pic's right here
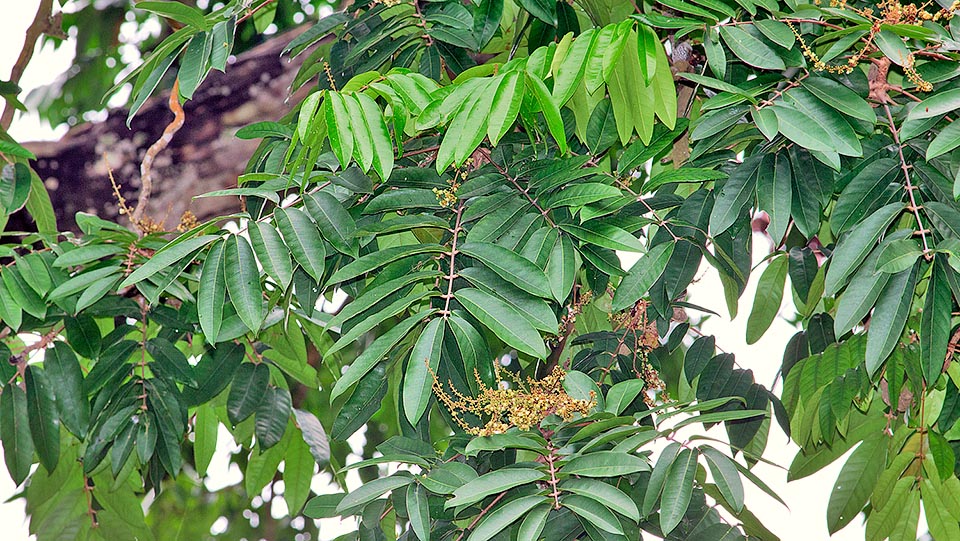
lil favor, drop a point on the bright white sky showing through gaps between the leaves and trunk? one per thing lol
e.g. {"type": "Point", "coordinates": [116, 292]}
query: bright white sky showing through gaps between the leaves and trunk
{"type": "Point", "coordinates": [807, 498]}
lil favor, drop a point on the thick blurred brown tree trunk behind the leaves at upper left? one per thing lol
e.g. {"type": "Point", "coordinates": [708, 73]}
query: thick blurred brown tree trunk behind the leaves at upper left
{"type": "Point", "coordinates": [203, 156]}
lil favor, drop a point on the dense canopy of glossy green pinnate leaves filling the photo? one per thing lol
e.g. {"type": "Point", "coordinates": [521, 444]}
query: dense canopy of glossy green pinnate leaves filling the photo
{"type": "Point", "coordinates": [469, 174]}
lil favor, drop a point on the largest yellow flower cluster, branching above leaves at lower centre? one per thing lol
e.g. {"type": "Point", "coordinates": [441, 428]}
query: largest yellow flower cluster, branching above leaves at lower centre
{"type": "Point", "coordinates": [524, 406]}
